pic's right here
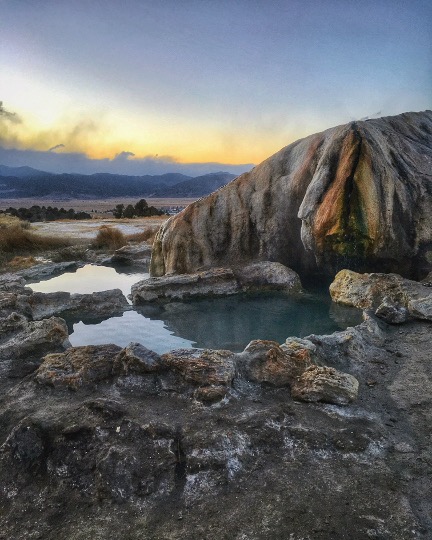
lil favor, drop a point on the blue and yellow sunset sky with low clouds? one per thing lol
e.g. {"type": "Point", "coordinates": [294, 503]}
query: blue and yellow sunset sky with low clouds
{"type": "Point", "coordinates": [145, 87]}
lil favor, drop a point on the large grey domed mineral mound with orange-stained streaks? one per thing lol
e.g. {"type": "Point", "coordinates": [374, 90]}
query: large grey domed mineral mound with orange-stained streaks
{"type": "Point", "coordinates": [355, 196]}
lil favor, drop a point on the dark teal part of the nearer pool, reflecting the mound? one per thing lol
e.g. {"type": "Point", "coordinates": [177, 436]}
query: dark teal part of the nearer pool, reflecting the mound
{"type": "Point", "coordinates": [233, 322]}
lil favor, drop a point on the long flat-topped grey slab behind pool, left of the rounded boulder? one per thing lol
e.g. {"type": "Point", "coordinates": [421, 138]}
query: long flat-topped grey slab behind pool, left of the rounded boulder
{"type": "Point", "coordinates": [216, 282]}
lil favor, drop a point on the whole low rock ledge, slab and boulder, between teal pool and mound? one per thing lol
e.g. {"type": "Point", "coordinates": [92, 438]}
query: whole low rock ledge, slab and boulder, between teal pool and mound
{"type": "Point", "coordinates": [263, 275]}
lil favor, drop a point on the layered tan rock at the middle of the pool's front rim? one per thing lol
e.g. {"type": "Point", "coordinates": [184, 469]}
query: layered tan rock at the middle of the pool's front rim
{"type": "Point", "coordinates": [203, 367]}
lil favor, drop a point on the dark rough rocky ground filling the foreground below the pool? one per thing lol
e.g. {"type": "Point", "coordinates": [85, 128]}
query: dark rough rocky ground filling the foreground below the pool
{"type": "Point", "coordinates": [123, 443]}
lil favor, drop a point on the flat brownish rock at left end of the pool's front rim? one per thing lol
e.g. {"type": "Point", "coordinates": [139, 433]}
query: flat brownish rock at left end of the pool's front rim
{"type": "Point", "coordinates": [78, 366]}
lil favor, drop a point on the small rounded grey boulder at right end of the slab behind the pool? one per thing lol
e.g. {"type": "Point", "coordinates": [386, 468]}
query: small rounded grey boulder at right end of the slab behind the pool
{"type": "Point", "coordinates": [267, 275]}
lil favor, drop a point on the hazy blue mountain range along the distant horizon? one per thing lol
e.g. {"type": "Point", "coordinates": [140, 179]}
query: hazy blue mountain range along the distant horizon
{"type": "Point", "coordinates": [24, 182]}
